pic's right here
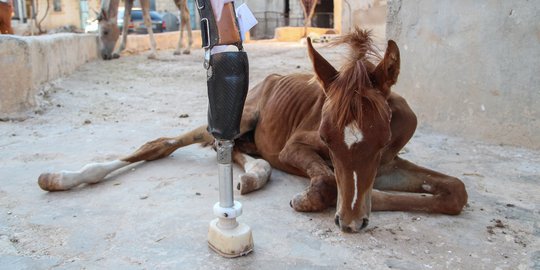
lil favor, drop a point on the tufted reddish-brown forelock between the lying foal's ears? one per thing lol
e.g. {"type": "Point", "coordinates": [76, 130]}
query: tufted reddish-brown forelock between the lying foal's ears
{"type": "Point", "coordinates": [348, 92]}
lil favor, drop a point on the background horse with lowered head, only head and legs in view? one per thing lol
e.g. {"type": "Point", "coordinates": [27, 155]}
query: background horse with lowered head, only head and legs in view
{"type": "Point", "coordinates": [109, 32]}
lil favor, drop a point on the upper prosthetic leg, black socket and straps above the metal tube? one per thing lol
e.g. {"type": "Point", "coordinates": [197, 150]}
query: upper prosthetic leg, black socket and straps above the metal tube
{"type": "Point", "coordinates": [228, 72]}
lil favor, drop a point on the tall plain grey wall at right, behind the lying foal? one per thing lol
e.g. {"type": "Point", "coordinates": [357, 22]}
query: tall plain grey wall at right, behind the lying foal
{"type": "Point", "coordinates": [470, 68]}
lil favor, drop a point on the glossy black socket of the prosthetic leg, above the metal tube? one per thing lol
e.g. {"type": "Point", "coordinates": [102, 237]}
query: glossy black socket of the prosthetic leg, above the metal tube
{"type": "Point", "coordinates": [227, 90]}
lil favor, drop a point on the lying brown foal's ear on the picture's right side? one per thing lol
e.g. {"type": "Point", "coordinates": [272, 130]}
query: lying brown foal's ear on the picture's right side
{"type": "Point", "coordinates": [387, 71]}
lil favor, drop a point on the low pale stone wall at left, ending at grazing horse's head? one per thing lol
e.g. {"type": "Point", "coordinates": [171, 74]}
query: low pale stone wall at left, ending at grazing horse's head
{"type": "Point", "coordinates": [28, 62]}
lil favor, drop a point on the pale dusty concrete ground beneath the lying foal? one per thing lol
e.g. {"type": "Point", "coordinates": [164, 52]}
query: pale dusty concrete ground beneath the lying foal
{"type": "Point", "coordinates": [156, 215]}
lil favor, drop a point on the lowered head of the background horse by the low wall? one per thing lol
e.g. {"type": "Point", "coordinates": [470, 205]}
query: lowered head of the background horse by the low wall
{"type": "Point", "coordinates": [108, 33]}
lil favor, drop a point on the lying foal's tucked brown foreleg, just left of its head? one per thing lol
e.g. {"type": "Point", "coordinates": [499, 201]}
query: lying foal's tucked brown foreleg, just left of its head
{"type": "Point", "coordinates": [300, 154]}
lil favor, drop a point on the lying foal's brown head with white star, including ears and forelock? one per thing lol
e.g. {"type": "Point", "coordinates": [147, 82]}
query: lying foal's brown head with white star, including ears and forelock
{"type": "Point", "coordinates": [355, 122]}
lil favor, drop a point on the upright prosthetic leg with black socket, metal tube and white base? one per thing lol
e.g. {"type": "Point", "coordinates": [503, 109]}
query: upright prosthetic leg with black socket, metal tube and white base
{"type": "Point", "coordinates": [227, 83]}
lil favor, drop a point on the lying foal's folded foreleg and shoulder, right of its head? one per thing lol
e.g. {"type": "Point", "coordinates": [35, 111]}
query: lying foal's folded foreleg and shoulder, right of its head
{"type": "Point", "coordinates": [395, 174]}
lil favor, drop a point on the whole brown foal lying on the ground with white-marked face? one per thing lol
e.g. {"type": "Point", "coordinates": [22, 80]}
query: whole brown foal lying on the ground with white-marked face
{"type": "Point", "coordinates": [341, 129]}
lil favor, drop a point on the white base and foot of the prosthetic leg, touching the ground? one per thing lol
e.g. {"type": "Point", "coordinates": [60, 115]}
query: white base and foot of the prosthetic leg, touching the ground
{"type": "Point", "coordinates": [226, 236]}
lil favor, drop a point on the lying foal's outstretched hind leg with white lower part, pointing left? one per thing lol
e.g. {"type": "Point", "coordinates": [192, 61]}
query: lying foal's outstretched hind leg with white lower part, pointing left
{"type": "Point", "coordinates": [96, 172]}
